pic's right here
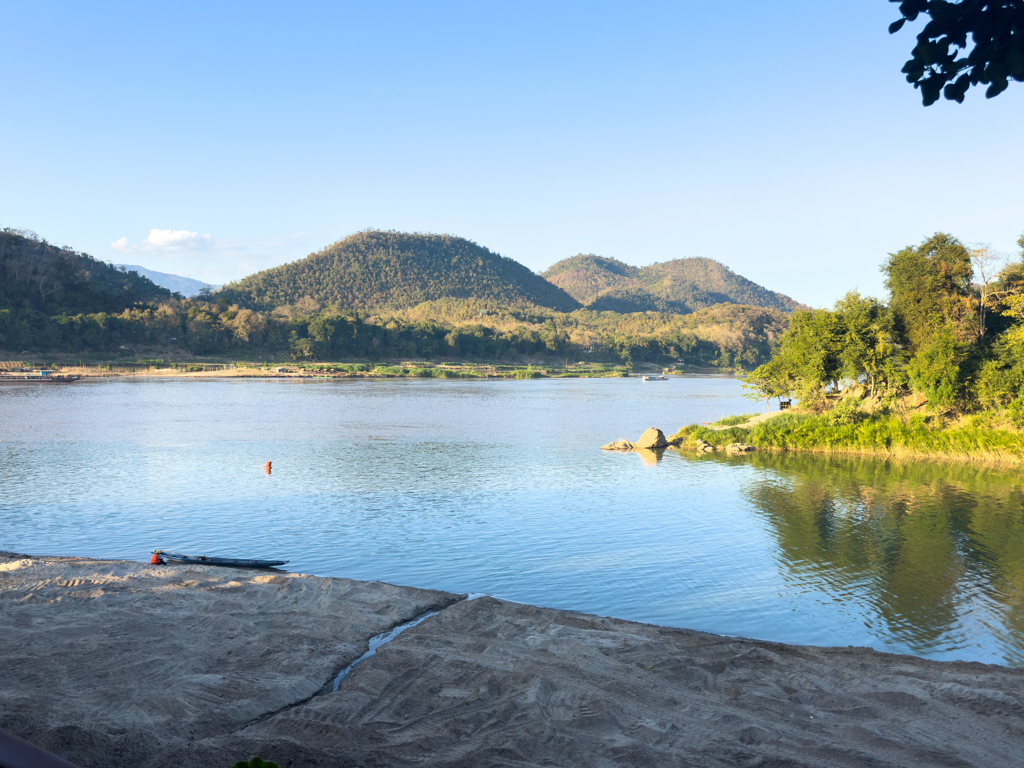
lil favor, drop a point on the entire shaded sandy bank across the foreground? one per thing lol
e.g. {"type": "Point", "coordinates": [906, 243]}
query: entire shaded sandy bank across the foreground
{"type": "Point", "coordinates": [125, 665]}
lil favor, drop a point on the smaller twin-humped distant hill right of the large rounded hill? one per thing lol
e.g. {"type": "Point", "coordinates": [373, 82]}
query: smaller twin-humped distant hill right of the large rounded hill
{"type": "Point", "coordinates": [679, 286]}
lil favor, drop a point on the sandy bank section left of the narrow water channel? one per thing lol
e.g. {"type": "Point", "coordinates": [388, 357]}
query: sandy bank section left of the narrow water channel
{"type": "Point", "coordinates": [114, 663]}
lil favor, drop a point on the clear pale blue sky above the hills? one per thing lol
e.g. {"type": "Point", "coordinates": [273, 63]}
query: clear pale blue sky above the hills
{"type": "Point", "coordinates": [212, 140]}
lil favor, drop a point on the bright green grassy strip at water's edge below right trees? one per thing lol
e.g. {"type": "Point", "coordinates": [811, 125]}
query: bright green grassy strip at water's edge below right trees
{"type": "Point", "coordinates": [980, 439]}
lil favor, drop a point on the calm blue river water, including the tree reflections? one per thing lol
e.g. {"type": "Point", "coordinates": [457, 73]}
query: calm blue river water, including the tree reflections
{"type": "Point", "coordinates": [500, 488]}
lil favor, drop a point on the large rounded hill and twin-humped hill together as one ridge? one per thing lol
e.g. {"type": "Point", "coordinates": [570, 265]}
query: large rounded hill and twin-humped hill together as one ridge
{"type": "Point", "coordinates": [379, 271]}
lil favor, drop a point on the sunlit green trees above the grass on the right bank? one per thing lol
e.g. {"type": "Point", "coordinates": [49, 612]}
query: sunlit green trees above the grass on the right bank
{"type": "Point", "coordinates": [952, 334]}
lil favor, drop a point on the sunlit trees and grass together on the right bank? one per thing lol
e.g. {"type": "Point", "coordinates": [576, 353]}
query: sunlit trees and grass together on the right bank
{"type": "Point", "coordinates": [938, 369]}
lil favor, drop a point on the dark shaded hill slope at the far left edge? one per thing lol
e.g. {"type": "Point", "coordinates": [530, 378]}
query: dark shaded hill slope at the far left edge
{"type": "Point", "coordinates": [38, 276]}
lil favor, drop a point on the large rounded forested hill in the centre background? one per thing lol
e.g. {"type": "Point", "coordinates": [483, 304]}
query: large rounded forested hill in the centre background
{"type": "Point", "coordinates": [391, 271]}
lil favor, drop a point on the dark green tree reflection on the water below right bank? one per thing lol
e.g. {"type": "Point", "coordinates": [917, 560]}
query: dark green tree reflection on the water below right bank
{"type": "Point", "coordinates": [919, 542]}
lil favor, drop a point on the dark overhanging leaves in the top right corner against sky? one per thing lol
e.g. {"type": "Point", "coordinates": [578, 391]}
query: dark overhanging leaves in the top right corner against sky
{"type": "Point", "coordinates": [937, 65]}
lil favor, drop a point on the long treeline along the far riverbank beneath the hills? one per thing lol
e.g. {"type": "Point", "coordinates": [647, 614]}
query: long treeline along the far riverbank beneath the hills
{"type": "Point", "coordinates": [722, 337]}
